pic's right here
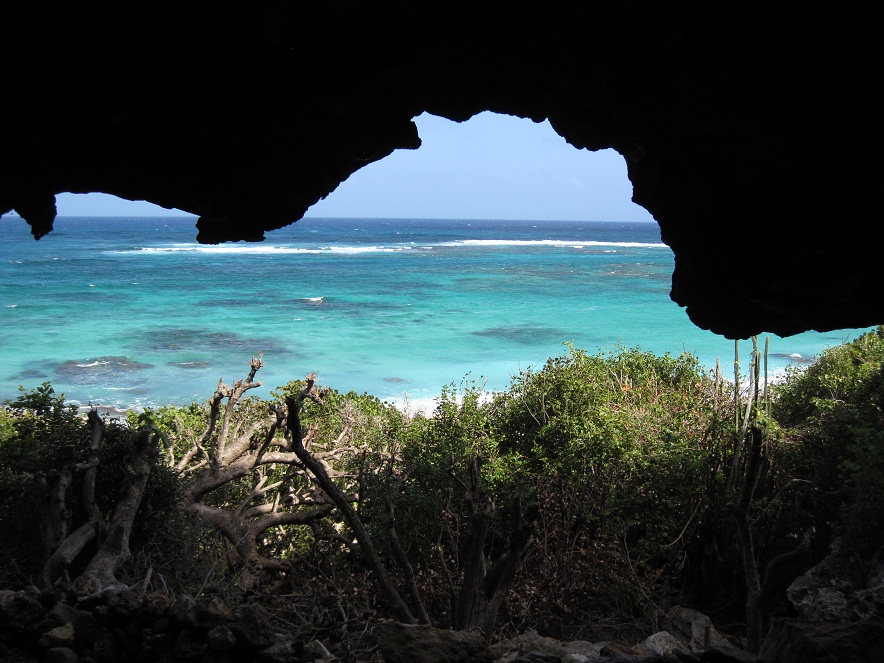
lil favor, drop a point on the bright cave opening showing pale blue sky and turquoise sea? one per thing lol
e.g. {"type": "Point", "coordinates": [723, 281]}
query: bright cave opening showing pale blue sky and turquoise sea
{"type": "Point", "coordinates": [359, 287]}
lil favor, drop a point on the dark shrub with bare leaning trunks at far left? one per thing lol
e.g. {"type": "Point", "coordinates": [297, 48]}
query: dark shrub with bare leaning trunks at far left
{"type": "Point", "coordinates": [59, 455]}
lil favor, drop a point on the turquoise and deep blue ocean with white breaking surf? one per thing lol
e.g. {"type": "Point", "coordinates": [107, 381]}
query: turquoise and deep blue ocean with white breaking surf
{"type": "Point", "coordinates": [133, 313]}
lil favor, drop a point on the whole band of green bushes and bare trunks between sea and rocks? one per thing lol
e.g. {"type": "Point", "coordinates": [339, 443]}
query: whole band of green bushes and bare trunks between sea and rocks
{"type": "Point", "coordinates": [583, 501]}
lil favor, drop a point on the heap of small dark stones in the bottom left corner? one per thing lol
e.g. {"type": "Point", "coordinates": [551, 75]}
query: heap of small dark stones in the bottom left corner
{"type": "Point", "coordinates": [130, 626]}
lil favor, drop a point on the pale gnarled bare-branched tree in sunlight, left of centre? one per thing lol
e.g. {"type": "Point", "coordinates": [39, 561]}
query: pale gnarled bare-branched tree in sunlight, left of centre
{"type": "Point", "coordinates": [242, 477]}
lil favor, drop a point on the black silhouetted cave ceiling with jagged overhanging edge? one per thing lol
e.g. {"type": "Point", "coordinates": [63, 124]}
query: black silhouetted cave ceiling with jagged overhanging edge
{"type": "Point", "coordinates": [751, 132]}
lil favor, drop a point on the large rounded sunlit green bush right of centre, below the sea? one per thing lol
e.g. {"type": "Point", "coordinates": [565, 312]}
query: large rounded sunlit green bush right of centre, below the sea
{"type": "Point", "coordinates": [630, 432]}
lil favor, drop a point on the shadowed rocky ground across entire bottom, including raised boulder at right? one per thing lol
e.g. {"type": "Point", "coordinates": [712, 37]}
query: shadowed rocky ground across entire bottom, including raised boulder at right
{"type": "Point", "coordinates": [839, 605]}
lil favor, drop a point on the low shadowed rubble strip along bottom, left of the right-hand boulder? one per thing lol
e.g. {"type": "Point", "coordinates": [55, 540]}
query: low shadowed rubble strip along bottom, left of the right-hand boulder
{"type": "Point", "coordinates": [133, 626]}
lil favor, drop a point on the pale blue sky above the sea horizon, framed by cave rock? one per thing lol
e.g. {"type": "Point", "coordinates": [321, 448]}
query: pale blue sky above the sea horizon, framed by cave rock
{"type": "Point", "coordinates": [490, 167]}
